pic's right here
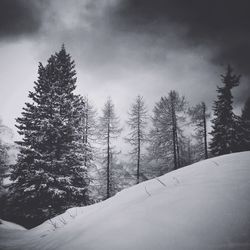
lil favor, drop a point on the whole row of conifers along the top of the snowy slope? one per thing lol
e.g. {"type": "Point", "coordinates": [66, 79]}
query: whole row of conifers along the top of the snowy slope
{"type": "Point", "coordinates": [67, 155]}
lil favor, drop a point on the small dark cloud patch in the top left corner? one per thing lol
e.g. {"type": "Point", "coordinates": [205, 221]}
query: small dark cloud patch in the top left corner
{"type": "Point", "coordinates": [20, 17]}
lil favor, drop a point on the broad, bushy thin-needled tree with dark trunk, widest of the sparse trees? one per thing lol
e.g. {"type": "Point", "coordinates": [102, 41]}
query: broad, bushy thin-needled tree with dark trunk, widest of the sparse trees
{"type": "Point", "coordinates": [166, 132]}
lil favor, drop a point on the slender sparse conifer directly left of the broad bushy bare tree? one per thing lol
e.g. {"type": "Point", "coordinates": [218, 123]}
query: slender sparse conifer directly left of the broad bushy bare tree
{"type": "Point", "coordinates": [137, 137]}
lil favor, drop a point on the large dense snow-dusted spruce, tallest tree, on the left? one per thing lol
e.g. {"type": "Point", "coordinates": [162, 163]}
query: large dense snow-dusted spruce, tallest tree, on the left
{"type": "Point", "coordinates": [49, 176]}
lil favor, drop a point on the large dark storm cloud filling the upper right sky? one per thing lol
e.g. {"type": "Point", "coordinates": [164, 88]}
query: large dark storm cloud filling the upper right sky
{"type": "Point", "coordinates": [223, 25]}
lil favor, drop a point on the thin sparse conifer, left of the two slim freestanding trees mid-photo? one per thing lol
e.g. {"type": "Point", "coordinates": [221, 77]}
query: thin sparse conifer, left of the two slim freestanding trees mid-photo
{"type": "Point", "coordinates": [109, 129]}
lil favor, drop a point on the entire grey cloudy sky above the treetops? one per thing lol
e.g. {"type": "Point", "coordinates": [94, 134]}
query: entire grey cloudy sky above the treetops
{"type": "Point", "coordinates": [125, 47]}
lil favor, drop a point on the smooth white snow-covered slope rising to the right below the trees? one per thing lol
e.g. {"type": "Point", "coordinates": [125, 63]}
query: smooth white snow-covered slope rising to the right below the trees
{"type": "Point", "coordinates": [202, 206]}
